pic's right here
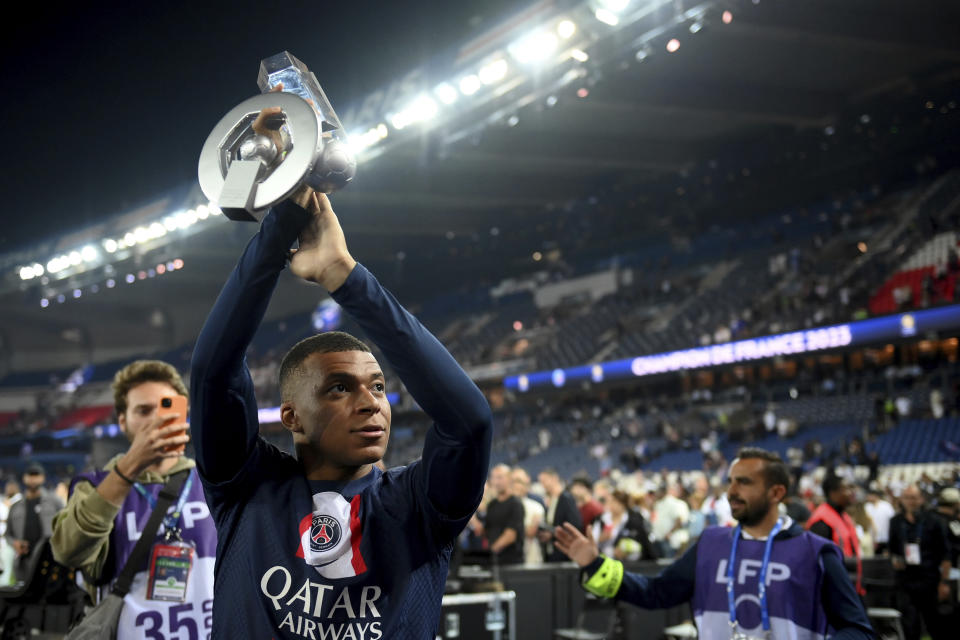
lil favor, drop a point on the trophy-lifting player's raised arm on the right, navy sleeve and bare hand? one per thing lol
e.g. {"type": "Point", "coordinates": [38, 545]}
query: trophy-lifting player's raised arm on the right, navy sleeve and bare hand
{"type": "Point", "coordinates": [457, 449]}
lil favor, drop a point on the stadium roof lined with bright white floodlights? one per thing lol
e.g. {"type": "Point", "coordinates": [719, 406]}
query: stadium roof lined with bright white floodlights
{"type": "Point", "coordinates": [748, 87]}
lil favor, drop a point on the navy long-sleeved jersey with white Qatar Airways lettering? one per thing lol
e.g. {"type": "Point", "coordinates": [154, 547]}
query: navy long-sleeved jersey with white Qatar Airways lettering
{"type": "Point", "coordinates": [307, 559]}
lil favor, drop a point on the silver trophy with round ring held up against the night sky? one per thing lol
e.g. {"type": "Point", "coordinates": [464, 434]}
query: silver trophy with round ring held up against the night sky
{"type": "Point", "coordinates": [245, 173]}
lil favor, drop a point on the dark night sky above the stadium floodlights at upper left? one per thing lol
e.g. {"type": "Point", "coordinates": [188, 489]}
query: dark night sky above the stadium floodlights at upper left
{"type": "Point", "coordinates": [106, 108]}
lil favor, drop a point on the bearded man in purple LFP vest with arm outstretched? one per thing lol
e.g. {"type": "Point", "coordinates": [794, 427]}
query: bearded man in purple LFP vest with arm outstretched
{"type": "Point", "coordinates": [765, 578]}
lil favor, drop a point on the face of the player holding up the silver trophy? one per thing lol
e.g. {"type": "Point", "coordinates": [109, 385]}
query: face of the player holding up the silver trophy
{"type": "Point", "coordinates": [341, 406]}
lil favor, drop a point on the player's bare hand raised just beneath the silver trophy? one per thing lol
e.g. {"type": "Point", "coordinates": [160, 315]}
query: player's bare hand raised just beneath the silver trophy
{"type": "Point", "coordinates": [323, 256]}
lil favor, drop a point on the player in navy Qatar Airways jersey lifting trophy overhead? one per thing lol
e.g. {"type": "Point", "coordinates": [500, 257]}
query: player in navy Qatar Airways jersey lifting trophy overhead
{"type": "Point", "coordinates": [325, 544]}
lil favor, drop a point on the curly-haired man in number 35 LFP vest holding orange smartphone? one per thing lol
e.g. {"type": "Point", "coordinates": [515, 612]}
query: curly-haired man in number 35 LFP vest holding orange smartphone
{"type": "Point", "coordinates": [109, 508]}
